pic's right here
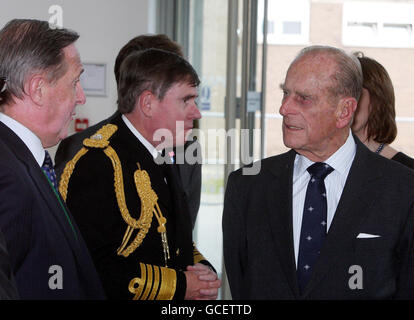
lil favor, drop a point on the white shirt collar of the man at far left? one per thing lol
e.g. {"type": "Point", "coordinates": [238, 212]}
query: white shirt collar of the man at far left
{"type": "Point", "coordinates": [28, 137]}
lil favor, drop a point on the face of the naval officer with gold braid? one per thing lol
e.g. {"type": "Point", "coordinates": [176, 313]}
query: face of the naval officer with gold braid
{"type": "Point", "coordinates": [175, 114]}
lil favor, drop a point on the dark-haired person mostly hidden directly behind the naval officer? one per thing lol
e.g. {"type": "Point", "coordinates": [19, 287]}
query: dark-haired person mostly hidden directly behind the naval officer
{"type": "Point", "coordinates": [190, 174]}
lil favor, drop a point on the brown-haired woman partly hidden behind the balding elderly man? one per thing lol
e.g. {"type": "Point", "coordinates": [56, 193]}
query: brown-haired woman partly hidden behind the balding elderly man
{"type": "Point", "coordinates": [374, 123]}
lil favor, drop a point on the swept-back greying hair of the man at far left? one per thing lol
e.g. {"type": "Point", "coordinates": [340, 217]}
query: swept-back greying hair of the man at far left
{"type": "Point", "coordinates": [29, 46]}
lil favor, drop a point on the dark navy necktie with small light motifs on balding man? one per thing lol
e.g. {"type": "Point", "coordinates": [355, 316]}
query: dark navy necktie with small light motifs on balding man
{"type": "Point", "coordinates": [314, 222]}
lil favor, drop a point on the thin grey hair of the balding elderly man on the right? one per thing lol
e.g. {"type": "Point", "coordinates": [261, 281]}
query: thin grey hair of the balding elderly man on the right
{"type": "Point", "coordinates": [348, 78]}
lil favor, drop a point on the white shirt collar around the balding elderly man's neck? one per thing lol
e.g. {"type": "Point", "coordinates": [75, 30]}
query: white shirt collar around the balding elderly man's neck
{"type": "Point", "coordinates": [340, 160]}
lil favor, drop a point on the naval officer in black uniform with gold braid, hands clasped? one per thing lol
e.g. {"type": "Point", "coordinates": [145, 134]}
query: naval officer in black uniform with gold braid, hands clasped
{"type": "Point", "coordinates": [131, 209]}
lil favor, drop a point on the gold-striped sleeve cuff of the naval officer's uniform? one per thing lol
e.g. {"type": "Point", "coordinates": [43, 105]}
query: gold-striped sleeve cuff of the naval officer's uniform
{"type": "Point", "coordinates": [155, 283]}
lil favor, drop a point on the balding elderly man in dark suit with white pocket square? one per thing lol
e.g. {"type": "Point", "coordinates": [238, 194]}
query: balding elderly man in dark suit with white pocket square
{"type": "Point", "coordinates": [329, 219]}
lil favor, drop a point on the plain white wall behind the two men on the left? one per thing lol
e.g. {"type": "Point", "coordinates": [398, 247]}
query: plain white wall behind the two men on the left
{"type": "Point", "coordinates": [104, 27]}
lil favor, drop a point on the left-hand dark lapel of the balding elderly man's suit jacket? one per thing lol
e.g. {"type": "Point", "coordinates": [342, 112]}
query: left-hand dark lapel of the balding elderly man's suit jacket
{"type": "Point", "coordinates": [279, 202]}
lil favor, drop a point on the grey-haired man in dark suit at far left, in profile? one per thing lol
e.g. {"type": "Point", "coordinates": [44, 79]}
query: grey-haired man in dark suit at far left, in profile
{"type": "Point", "coordinates": [48, 256]}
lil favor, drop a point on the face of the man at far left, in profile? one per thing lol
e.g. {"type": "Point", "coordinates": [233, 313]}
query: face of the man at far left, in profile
{"type": "Point", "coordinates": [61, 98]}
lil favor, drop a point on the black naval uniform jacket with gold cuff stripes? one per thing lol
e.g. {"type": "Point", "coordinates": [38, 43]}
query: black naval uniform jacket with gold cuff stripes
{"type": "Point", "coordinates": [92, 199]}
